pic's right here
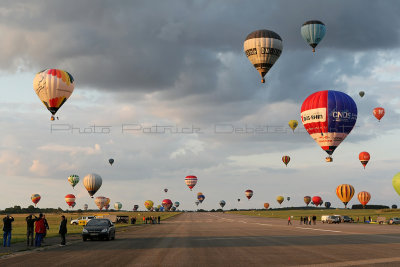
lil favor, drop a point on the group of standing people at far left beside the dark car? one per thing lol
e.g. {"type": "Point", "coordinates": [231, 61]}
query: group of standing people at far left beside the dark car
{"type": "Point", "coordinates": [37, 225]}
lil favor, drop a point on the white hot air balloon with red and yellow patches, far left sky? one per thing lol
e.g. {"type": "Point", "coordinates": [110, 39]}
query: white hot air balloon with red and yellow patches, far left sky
{"type": "Point", "coordinates": [53, 88]}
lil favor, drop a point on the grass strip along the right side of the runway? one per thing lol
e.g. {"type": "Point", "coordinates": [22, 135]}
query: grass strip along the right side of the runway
{"type": "Point", "coordinates": [360, 213]}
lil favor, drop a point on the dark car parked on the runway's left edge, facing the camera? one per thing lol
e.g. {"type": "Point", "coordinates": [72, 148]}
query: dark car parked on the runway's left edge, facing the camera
{"type": "Point", "coordinates": [99, 229]}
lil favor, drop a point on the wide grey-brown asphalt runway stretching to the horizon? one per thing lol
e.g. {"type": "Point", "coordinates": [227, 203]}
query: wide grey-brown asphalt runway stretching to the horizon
{"type": "Point", "coordinates": [217, 239]}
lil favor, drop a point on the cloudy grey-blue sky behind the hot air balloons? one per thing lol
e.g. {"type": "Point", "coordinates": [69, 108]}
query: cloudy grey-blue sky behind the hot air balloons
{"type": "Point", "coordinates": [180, 65]}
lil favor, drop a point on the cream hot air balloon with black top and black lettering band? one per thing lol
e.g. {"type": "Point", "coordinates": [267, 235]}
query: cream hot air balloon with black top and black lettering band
{"type": "Point", "coordinates": [263, 48]}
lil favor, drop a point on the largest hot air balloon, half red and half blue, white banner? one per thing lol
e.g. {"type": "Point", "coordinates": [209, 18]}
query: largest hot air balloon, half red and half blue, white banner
{"type": "Point", "coordinates": [329, 116]}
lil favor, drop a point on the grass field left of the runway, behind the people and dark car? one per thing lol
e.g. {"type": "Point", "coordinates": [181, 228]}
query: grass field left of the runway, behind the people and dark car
{"type": "Point", "coordinates": [19, 224]}
